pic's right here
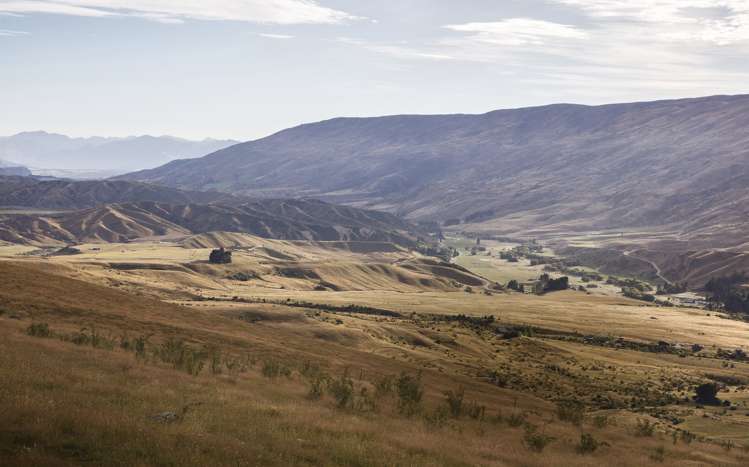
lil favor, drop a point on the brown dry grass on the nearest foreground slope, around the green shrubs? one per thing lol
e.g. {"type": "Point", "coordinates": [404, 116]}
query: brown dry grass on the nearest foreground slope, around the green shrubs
{"type": "Point", "coordinates": [64, 404]}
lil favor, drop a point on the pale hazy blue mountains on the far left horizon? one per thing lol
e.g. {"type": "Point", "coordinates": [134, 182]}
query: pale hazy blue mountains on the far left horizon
{"type": "Point", "coordinates": [96, 157]}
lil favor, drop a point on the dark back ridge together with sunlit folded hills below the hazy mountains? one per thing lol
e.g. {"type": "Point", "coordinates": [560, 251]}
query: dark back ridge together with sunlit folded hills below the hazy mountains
{"type": "Point", "coordinates": [120, 211]}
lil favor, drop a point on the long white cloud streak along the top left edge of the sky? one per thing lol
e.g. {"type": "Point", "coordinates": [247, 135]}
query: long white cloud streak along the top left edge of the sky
{"type": "Point", "coordinates": [258, 11]}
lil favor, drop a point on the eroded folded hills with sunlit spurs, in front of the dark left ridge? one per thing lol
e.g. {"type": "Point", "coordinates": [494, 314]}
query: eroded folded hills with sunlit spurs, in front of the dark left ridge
{"type": "Point", "coordinates": [288, 220]}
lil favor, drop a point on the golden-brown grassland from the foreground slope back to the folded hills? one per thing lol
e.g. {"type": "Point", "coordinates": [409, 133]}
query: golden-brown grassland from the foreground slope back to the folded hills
{"type": "Point", "coordinates": [268, 340]}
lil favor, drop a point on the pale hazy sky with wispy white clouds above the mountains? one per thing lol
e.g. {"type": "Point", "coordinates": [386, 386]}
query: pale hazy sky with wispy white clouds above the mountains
{"type": "Point", "coordinates": [245, 68]}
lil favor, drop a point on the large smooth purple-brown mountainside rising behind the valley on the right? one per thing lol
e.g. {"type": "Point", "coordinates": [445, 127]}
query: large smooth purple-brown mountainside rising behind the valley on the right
{"type": "Point", "coordinates": [681, 164]}
